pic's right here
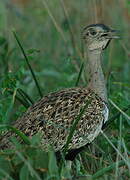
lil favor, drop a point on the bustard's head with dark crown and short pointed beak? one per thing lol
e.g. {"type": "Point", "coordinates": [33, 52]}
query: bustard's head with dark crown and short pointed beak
{"type": "Point", "coordinates": [98, 36]}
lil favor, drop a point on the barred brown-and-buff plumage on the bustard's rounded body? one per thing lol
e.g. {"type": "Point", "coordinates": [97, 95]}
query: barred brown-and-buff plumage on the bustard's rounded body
{"type": "Point", "coordinates": [54, 115]}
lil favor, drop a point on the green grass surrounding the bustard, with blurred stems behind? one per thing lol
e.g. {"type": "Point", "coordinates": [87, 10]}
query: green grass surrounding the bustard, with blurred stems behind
{"type": "Point", "coordinates": [51, 59]}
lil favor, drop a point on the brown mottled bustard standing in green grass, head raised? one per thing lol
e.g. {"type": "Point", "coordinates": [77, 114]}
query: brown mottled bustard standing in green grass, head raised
{"type": "Point", "coordinates": [54, 114]}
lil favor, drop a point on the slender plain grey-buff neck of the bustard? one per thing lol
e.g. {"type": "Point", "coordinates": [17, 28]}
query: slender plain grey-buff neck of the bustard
{"type": "Point", "coordinates": [96, 76]}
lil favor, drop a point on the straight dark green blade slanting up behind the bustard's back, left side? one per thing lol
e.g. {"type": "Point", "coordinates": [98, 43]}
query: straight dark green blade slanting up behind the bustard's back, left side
{"type": "Point", "coordinates": [27, 61]}
